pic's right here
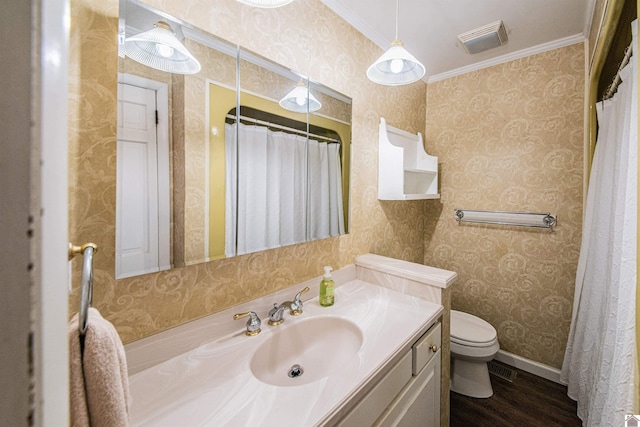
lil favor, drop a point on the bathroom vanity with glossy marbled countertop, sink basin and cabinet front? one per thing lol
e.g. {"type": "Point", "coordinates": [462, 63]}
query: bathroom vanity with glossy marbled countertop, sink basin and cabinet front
{"type": "Point", "coordinates": [372, 358]}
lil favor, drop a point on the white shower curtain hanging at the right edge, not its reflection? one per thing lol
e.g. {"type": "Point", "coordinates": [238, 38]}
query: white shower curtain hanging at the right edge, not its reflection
{"type": "Point", "coordinates": [598, 367]}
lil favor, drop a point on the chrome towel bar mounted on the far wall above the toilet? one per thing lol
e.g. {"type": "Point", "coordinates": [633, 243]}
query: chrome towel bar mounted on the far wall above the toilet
{"type": "Point", "coordinates": [520, 219]}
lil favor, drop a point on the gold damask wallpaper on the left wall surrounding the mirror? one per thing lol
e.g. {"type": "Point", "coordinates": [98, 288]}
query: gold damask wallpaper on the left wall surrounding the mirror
{"type": "Point", "coordinates": [143, 305]}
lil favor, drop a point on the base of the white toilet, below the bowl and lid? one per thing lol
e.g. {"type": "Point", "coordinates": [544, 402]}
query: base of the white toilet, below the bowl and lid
{"type": "Point", "coordinates": [470, 378]}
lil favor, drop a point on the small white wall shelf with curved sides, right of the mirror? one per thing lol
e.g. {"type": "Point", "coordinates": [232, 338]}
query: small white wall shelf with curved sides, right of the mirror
{"type": "Point", "coordinates": [405, 170]}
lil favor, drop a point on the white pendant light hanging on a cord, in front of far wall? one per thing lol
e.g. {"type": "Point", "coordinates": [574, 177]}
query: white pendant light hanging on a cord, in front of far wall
{"type": "Point", "coordinates": [396, 66]}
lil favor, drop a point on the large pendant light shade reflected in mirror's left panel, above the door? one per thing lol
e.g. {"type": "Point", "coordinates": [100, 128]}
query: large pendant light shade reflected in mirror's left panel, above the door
{"type": "Point", "coordinates": [159, 48]}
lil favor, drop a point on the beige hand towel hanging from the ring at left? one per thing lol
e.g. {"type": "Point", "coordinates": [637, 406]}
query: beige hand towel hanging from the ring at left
{"type": "Point", "coordinates": [99, 394]}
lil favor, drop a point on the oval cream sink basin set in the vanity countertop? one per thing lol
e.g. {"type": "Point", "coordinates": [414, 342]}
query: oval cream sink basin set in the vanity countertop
{"type": "Point", "coordinates": [306, 351]}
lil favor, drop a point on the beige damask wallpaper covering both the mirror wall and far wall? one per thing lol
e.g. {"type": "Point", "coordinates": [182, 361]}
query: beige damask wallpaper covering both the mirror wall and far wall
{"type": "Point", "coordinates": [509, 137]}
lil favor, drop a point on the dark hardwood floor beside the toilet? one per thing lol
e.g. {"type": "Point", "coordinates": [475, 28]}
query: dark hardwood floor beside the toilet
{"type": "Point", "coordinates": [528, 401]}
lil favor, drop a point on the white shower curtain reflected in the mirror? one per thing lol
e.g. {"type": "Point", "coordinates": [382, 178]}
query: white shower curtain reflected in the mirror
{"type": "Point", "coordinates": [272, 178]}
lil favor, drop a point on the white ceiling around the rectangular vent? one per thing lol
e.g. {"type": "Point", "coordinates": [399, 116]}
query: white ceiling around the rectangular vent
{"type": "Point", "coordinates": [429, 28]}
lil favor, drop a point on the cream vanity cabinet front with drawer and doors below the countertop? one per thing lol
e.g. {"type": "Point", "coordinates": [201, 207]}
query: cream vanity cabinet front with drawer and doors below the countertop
{"type": "Point", "coordinates": [409, 393]}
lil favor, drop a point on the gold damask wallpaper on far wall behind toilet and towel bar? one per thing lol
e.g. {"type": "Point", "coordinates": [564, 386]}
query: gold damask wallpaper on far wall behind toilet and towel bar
{"type": "Point", "coordinates": [510, 137]}
